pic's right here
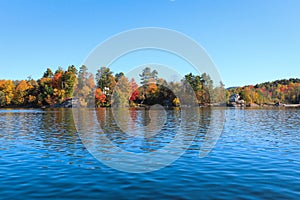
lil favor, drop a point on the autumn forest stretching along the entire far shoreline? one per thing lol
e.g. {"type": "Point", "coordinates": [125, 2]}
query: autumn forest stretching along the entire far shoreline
{"type": "Point", "coordinates": [107, 88]}
